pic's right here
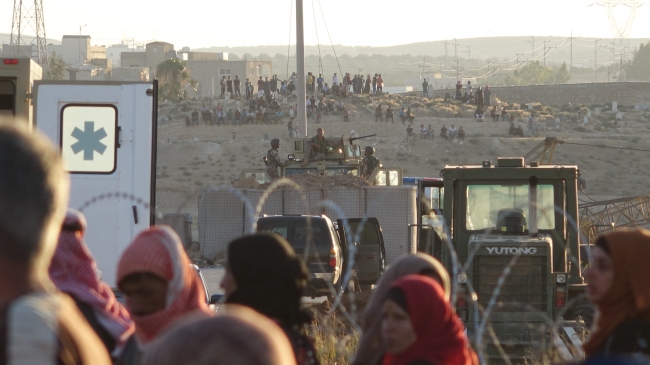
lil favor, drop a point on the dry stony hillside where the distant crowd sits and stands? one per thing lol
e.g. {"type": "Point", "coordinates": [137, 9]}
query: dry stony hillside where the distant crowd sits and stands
{"type": "Point", "coordinates": [192, 158]}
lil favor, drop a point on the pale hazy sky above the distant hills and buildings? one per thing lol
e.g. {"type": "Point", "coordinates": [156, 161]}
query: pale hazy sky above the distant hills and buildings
{"type": "Point", "coordinates": [202, 23]}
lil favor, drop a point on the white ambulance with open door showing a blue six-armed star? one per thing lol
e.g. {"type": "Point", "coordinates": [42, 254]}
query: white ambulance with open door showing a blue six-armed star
{"type": "Point", "coordinates": [107, 135]}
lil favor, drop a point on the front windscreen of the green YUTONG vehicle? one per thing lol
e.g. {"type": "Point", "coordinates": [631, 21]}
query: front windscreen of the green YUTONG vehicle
{"type": "Point", "coordinates": [484, 203]}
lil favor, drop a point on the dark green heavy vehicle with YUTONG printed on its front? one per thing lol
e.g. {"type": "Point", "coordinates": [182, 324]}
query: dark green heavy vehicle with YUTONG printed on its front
{"type": "Point", "coordinates": [515, 228]}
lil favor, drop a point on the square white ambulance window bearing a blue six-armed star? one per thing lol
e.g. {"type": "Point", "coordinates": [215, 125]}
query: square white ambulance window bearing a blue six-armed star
{"type": "Point", "coordinates": [88, 138]}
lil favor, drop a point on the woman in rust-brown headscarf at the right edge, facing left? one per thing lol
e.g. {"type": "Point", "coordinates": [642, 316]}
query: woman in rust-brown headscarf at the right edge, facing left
{"type": "Point", "coordinates": [618, 282]}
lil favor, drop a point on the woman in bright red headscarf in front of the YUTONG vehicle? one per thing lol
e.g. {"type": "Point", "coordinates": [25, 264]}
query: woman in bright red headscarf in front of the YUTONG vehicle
{"type": "Point", "coordinates": [420, 327]}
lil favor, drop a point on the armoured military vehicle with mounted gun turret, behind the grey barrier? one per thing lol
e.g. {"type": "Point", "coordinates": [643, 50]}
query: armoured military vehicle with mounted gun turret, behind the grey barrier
{"type": "Point", "coordinates": [343, 158]}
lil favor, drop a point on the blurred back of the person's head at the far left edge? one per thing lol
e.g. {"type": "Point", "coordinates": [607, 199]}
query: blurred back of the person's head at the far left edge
{"type": "Point", "coordinates": [33, 191]}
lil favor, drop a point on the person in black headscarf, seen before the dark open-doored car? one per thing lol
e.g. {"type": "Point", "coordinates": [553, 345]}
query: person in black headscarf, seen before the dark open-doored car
{"type": "Point", "coordinates": [264, 273]}
